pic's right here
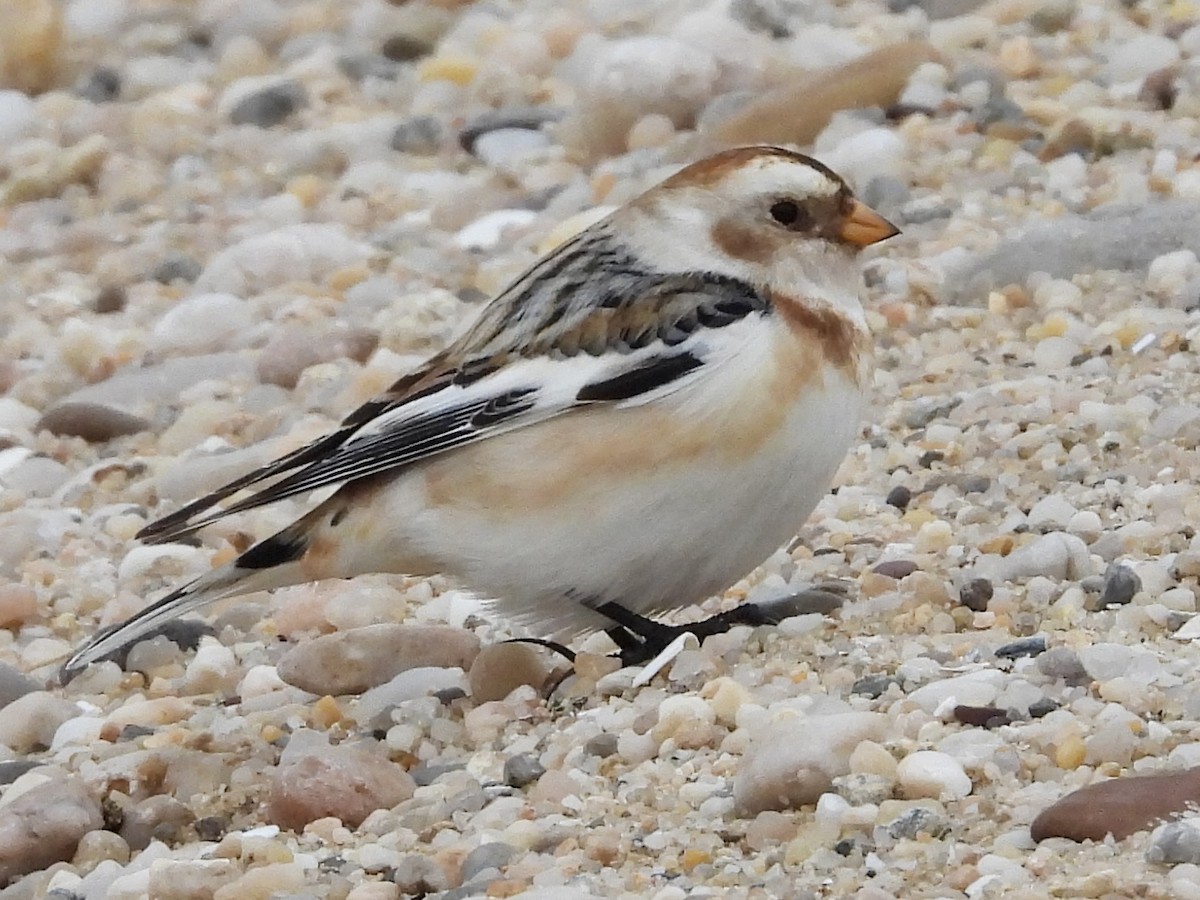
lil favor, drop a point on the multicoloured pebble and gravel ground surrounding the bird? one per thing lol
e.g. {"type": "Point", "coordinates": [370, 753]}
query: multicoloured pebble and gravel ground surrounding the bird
{"type": "Point", "coordinates": [223, 225]}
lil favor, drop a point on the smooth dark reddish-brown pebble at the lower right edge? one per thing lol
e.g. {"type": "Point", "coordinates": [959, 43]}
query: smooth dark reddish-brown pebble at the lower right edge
{"type": "Point", "coordinates": [1118, 807]}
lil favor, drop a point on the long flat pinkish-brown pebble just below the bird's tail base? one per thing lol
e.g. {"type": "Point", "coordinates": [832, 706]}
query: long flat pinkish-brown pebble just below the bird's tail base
{"type": "Point", "coordinates": [355, 661]}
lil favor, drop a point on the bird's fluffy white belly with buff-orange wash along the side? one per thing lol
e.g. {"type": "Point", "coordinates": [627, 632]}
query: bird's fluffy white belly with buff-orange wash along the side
{"type": "Point", "coordinates": [629, 506]}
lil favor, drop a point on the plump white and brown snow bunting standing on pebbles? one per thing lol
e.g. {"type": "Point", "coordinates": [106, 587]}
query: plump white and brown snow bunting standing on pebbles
{"type": "Point", "coordinates": [638, 422]}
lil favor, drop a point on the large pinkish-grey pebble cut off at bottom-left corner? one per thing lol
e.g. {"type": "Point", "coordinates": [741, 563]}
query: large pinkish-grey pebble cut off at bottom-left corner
{"type": "Point", "coordinates": [45, 826]}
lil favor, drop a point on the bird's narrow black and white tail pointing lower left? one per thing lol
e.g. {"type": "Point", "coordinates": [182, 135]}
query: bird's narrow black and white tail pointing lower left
{"type": "Point", "coordinates": [272, 563]}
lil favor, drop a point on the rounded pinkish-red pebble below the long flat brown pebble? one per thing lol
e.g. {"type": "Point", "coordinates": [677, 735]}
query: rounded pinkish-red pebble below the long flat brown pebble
{"type": "Point", "coordinates": [315, 781]}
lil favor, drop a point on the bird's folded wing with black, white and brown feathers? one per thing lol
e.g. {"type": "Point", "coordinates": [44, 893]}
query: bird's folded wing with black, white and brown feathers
{"type": "Point", "coordinates": [531, 357]}
